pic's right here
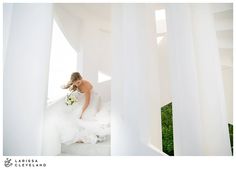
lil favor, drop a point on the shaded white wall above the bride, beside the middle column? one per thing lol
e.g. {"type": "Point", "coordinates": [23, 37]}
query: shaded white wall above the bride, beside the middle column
{"type": "Point", "coordinates": [97, 54]}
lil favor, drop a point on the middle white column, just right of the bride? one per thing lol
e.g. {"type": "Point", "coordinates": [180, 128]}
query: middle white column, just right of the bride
{"type": "Point", "coordinates": [136, 105]}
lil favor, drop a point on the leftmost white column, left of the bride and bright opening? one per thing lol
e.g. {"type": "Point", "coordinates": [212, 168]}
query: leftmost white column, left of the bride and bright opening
{"type": "Point", "coordinates": [25, 78]}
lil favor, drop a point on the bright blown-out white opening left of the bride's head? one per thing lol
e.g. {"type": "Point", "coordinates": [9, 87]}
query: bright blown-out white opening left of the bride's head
{"type": "Point", "coordinates": [62, 63]}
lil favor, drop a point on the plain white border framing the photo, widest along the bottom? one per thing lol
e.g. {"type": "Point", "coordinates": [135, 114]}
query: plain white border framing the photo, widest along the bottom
{"type": "Point", "coordinates": [120, 162]}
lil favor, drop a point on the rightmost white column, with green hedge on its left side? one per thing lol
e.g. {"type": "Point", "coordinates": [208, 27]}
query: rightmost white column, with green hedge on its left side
{"type": "Point", "coordinates": [199, 116]}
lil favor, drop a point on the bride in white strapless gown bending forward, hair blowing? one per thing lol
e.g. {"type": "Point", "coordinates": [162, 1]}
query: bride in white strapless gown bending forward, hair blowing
{"type": "Point", "coordinates": [87, 126]}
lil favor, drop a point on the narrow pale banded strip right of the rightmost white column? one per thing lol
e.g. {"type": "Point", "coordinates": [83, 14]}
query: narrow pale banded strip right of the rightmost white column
{"type": "Point", "coordinates": [223, 17]}
